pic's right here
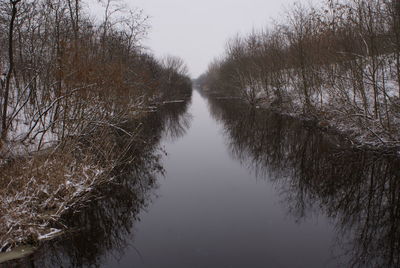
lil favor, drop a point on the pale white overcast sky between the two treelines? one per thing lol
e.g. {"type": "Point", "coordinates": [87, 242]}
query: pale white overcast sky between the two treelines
{"type": "Point", "coordinates": [197, 30]}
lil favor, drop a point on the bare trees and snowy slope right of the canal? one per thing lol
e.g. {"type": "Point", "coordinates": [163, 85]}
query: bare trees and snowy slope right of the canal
{"type": "Point", "coordinates": [338, 62]}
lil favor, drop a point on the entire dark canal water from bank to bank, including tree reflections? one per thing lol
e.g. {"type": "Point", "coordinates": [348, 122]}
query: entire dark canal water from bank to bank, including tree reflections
{"type": "Point", "coordinates": [239, 188]}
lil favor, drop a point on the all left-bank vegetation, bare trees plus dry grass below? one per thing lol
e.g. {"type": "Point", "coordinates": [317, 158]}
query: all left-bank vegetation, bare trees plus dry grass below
{"type": "Point", "coordinates": [70, 84]}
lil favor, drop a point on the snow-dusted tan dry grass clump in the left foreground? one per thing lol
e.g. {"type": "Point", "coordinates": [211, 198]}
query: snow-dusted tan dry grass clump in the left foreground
{"type": "Point", "coordinates": [36, 191]}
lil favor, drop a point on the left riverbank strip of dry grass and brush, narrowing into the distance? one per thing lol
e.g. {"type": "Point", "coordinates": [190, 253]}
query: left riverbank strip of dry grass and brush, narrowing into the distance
{"type": "Point", "coordinates": [39, 190]}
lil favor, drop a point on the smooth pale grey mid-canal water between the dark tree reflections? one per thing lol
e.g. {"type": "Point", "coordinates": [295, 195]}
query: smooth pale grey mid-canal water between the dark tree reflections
{"type": "Point", "coordinates": [213, 211]}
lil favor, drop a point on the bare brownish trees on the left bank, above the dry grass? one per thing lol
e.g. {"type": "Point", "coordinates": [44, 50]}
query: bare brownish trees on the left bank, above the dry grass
{"type": "Point", "coordinates": [64, 72]}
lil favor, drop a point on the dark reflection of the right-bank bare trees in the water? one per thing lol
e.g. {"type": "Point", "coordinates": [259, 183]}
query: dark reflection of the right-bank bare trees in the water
{"type": "Point", "coordinates": [359, 190]}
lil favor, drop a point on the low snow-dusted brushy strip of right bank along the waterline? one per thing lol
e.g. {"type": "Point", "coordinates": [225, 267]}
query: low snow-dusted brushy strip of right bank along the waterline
{"type": "Point", "coordinates": [360, 131]}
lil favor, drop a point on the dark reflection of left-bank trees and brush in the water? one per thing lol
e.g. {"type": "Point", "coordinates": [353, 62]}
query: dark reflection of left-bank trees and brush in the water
{"type": "Point", "coordinates": [102, 228]}
